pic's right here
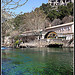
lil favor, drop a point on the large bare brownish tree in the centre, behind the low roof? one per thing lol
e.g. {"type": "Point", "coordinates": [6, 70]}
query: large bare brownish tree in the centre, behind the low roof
{"type": "Point", "coordinates": [35, 20]}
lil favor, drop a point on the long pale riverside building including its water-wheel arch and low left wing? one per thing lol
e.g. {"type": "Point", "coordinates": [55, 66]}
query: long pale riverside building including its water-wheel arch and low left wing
{"type": "Point", "coordinates": [63, 31]}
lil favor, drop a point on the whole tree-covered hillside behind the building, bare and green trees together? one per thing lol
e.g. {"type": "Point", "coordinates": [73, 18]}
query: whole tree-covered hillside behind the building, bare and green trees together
{"type": "Point", "coordinates": [40, 18]}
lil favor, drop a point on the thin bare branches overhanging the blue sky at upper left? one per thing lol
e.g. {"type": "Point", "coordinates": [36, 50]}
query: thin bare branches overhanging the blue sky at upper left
{"type": "Point", "coordinates": [8, 5]}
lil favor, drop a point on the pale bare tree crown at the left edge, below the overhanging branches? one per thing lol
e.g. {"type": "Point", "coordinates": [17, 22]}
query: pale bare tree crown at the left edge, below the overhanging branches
{"type": "Point", "coordinates": [7, 28]}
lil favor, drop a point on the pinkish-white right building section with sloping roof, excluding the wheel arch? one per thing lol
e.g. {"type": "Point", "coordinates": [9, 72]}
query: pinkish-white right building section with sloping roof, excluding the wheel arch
{"type": "Point", "coordinates": [63, 31]}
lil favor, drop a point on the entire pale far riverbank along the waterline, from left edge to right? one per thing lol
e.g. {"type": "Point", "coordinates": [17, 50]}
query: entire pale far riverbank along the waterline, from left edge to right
{"type": "Point", "coordinates": [43, 43]}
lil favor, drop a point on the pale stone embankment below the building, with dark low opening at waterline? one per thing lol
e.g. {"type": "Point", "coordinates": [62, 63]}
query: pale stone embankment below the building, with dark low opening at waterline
{"type": "Point", "coordinates": [45, 44]}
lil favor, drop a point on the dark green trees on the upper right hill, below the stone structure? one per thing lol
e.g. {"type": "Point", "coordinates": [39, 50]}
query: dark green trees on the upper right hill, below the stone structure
{"type": "Point", "coordinates": [60, 12]}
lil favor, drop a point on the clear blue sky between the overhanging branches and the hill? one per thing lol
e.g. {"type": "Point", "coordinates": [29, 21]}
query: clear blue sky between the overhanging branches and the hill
{"type": "Point", "coordinates": [29, 6]}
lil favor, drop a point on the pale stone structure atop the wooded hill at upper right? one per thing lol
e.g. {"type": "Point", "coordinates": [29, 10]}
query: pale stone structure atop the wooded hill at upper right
{"type": "Point", "coordinates": [59, 2]}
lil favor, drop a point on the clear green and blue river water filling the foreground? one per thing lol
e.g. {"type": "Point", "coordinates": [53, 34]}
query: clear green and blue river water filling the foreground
{"type": "Point", "coordinates": [37, 61]}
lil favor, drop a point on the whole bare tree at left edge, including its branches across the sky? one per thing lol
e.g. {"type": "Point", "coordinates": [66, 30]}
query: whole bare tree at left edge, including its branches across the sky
{"type": "Point", "coordinates": [7, 6]}
